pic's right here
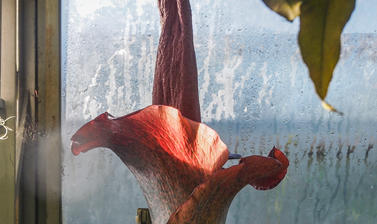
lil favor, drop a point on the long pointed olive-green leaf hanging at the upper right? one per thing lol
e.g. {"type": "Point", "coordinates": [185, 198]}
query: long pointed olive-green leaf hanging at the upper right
{"type": "Point", "coordinates": [321, 24]}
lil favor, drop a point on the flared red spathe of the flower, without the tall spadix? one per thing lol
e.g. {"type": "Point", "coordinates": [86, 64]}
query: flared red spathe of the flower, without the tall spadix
{"type": "Point", "coordinates": [178, 163]}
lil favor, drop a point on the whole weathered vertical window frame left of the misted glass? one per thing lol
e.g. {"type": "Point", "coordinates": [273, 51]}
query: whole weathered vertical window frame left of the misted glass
{"type": "Point", "coordinates": [30, 159]}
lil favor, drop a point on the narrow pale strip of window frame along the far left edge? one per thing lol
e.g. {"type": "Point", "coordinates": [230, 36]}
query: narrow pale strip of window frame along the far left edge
{"type": "Point", "coordinates": [8, 94]}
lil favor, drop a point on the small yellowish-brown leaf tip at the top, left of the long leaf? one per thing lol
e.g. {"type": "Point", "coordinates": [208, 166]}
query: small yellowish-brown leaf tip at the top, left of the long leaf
{"type": "Point", "coordinates": [289, 9]}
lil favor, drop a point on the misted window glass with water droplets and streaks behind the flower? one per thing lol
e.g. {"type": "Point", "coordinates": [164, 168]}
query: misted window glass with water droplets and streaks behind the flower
{"type": "Point", "coordinates": [254, 91]}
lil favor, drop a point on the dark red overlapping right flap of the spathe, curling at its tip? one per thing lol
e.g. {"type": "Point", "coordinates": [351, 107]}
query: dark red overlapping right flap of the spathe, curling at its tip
{"type": "Point", "coordinates": [210, 201]}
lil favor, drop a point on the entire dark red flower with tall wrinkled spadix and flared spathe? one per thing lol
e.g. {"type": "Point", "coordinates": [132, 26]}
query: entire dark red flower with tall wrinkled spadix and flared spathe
{"type": "Point", "coordinates": [177, 160]}
